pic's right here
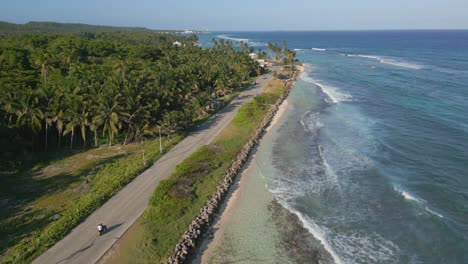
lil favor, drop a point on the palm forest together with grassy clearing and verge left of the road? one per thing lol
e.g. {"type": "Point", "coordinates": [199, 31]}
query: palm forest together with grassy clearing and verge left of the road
{"type": "Point", "coordinates": [62, 92]}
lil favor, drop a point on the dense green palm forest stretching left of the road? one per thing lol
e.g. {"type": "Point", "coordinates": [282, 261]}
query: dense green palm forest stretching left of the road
{"type": "Point", "coordinates": [63, 91]}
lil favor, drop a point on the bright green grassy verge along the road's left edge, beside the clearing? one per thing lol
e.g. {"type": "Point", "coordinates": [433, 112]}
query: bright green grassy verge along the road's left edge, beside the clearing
{"type": "Point", "coordinates": [105, 183]}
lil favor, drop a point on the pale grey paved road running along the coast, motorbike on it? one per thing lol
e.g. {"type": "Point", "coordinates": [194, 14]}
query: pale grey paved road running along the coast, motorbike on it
{"type": "Point", "coordinates": [83, 245]}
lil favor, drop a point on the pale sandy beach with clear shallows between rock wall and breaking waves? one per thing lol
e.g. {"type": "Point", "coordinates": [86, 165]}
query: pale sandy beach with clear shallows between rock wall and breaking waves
{"type": "Point", "coordinates": [251, 225]}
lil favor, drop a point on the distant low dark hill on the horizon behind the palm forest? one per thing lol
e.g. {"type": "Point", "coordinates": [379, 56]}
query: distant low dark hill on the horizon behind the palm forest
{"type": "Point", "coordinates": [66, 28]}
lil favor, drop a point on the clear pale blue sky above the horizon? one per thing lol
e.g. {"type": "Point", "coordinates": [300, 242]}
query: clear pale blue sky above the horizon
{"type": "Point", "coordinates": [245, 14]}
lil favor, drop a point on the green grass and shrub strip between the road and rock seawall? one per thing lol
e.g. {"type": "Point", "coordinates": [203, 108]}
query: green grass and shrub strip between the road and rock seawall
{"type": "Point", "coordinates": [177, 201]}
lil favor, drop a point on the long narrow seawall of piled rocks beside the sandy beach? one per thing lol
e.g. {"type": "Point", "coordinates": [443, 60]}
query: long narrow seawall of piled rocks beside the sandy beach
{"type": "Point", "coordinates": [187, 243]}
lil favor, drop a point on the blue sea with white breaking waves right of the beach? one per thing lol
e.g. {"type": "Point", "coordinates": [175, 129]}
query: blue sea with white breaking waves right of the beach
{"type": "Point", "coordinates": [372, 155]}
